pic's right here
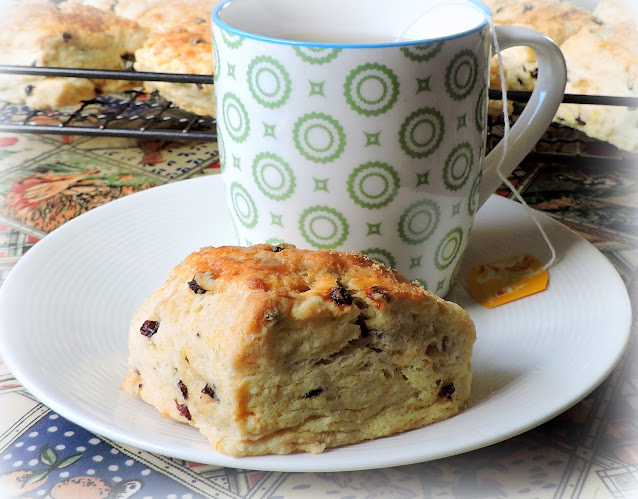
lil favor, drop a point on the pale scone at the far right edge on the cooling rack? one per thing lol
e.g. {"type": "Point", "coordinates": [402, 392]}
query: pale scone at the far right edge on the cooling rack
{"type": "Point", "coordinates": [603, 62]}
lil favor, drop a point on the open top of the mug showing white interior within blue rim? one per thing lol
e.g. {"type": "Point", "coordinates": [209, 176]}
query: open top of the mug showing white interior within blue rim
{"type": "Point", "coordinates": [353, 22]}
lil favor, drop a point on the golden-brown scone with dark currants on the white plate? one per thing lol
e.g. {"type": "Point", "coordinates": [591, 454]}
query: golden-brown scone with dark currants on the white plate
{"type": "Point", "coordinates": [274, 349]}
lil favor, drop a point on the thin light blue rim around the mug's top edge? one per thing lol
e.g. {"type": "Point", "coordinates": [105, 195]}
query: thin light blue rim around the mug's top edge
{"type": "Point", "coordinates": [216, 19]}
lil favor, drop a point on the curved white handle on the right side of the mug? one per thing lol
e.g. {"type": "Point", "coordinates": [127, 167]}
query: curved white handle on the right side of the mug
{"type": "Point", "coordinates": [539, 111]}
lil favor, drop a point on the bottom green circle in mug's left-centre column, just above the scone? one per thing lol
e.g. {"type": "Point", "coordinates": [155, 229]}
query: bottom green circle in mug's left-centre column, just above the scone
{"type": "Point", "coordinates": [323, 227]}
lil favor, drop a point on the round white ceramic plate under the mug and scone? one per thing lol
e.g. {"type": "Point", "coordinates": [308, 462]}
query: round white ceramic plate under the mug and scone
{"type": "Point", "coordinates": [65, 309]}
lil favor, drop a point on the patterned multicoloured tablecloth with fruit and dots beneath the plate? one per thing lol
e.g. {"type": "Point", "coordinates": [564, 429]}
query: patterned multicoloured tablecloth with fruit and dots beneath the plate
{"type": "Point", "coordinates": [589, 451]}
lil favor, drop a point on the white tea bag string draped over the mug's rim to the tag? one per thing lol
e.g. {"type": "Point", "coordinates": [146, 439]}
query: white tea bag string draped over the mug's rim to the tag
{"type": "Point", "coordinates": [506, 119]}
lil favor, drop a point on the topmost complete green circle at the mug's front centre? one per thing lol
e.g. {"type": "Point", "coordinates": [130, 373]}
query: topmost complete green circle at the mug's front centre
{"type": "Point", "coordinates": [371, 89]}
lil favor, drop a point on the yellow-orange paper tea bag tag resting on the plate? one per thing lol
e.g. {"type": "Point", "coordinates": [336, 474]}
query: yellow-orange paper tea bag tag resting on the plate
{"type": "Point", "coordinates": [506, 280]}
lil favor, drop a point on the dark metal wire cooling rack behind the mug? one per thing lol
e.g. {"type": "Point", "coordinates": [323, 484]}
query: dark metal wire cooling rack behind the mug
{"type": "Point", "coordinates": [139, 115]}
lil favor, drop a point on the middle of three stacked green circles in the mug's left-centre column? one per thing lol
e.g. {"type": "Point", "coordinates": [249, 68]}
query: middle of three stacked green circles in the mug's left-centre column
{"type": "Point", "coordinates": [319, 137]}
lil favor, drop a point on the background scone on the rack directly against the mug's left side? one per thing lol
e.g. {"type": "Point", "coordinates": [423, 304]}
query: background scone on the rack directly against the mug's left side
{"type": "Point", "coordinates": [180, 41]}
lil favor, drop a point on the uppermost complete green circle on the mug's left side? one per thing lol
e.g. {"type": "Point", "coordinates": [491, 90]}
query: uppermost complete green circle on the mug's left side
{"type": "Point", "coordinates": [269, 82]}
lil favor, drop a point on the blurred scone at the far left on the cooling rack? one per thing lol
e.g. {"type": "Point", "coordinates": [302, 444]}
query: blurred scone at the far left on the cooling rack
{"type": "Point", "coordinates": [67, 35]}
